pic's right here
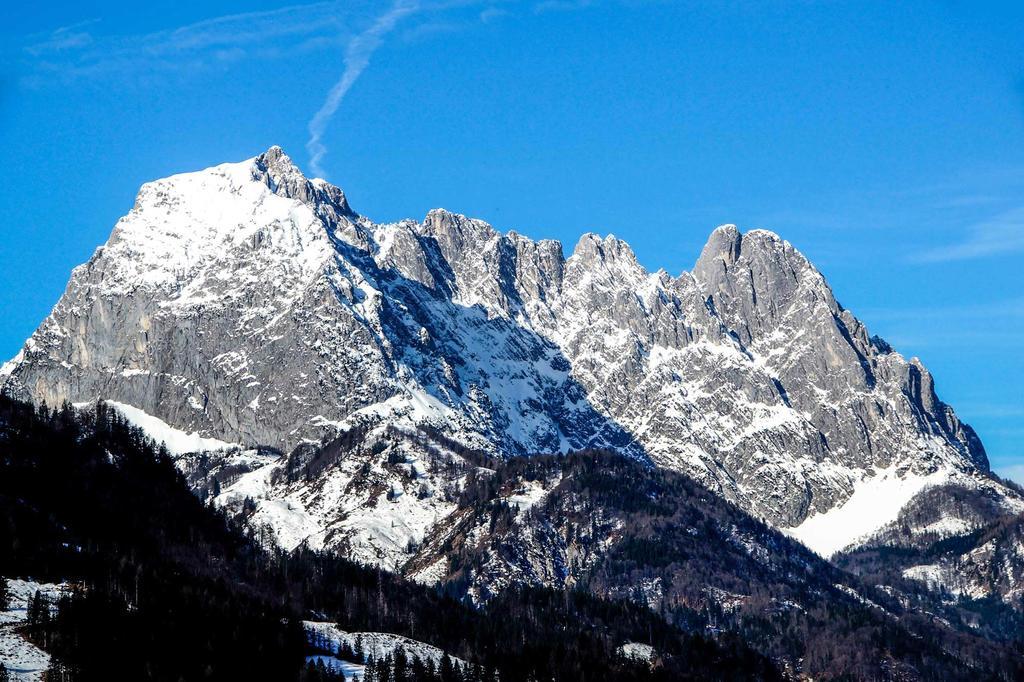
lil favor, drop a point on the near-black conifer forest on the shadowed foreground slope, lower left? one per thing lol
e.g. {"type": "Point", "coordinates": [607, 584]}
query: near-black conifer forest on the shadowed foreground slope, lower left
{"type": "Point", "coordinates": [166, 588]}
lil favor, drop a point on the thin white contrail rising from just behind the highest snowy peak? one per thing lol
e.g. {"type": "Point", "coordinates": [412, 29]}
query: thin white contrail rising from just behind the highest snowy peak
{"type": "Point", "coordinates": [357, 59]}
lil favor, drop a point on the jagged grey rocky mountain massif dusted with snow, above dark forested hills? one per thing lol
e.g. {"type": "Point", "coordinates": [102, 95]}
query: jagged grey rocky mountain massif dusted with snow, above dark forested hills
{"type": "Point", "coordinates": [248, 304]}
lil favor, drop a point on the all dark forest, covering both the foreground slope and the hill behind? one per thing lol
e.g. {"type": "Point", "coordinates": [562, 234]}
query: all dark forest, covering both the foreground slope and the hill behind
{"type": "Point", "coordinates": [162, 586]}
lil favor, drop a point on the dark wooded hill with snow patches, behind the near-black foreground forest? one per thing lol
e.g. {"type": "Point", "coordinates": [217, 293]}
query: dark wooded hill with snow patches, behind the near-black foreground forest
{"type": "Point", "coordinates": [610, 526]}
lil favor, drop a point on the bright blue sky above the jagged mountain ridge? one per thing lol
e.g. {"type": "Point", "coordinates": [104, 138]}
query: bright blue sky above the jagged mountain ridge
{"type": "Point", "coordinates": [886, 141]}
